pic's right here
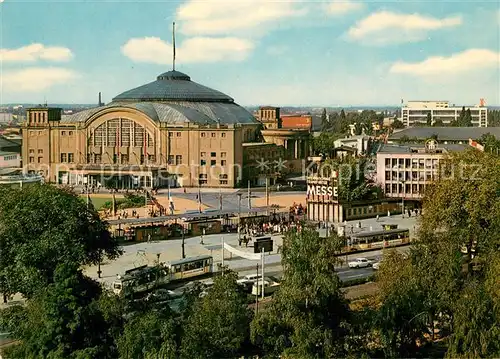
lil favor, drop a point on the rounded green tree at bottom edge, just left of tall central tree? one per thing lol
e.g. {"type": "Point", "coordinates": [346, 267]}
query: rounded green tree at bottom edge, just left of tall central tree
{"type": "Point", "coordinates": [218, 324]}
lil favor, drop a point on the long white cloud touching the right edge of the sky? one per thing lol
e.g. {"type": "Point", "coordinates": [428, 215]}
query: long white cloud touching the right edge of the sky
{"type": "Point", "coordinates": [469, 60]}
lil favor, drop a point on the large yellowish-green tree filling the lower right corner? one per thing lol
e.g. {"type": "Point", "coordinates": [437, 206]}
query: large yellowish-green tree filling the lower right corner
{"type": "Point", "coordinates": [459, 239]}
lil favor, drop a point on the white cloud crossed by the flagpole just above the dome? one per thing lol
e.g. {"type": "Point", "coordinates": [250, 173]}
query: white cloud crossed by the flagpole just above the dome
{"type": "Point", "coordinates": [193, 50]}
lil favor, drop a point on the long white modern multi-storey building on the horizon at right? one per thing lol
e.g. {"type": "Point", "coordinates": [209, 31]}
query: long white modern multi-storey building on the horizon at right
{"type": "Point", "coordinates": [418, 111]}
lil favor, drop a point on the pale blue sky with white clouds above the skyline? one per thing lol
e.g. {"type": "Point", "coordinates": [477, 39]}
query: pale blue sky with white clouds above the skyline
{"type": "Point", "coordinates": [260, 52]}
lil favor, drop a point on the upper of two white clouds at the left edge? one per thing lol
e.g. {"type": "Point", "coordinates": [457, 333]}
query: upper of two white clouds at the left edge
{"type": "Point", "coordinates": [35, 52]}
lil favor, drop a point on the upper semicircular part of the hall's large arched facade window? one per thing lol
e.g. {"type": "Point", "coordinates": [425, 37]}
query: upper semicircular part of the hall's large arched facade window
{"type": "Point", "coordinates": [121, 132]}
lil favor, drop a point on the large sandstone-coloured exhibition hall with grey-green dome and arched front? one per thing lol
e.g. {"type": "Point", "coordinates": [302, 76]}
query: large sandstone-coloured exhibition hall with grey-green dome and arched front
{"type": "Point", "coordinates": [172, 130]}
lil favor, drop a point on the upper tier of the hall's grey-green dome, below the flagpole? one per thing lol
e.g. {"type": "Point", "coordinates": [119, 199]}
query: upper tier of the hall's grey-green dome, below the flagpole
{"type": "Point", "coordinates": [173, 86]}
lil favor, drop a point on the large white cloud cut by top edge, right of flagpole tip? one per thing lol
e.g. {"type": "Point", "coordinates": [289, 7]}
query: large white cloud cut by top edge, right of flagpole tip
{"type": "Point", "coordinates": [215, 17]}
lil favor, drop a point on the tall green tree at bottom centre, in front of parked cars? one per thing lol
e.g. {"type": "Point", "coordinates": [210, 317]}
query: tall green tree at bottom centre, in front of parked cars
{"type": "Point", "coordinates": [309, 316]}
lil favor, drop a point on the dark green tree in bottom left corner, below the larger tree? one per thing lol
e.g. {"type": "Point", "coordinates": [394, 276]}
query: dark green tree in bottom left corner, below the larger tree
{"type": "Point", "coordinates": [61, 321]}
